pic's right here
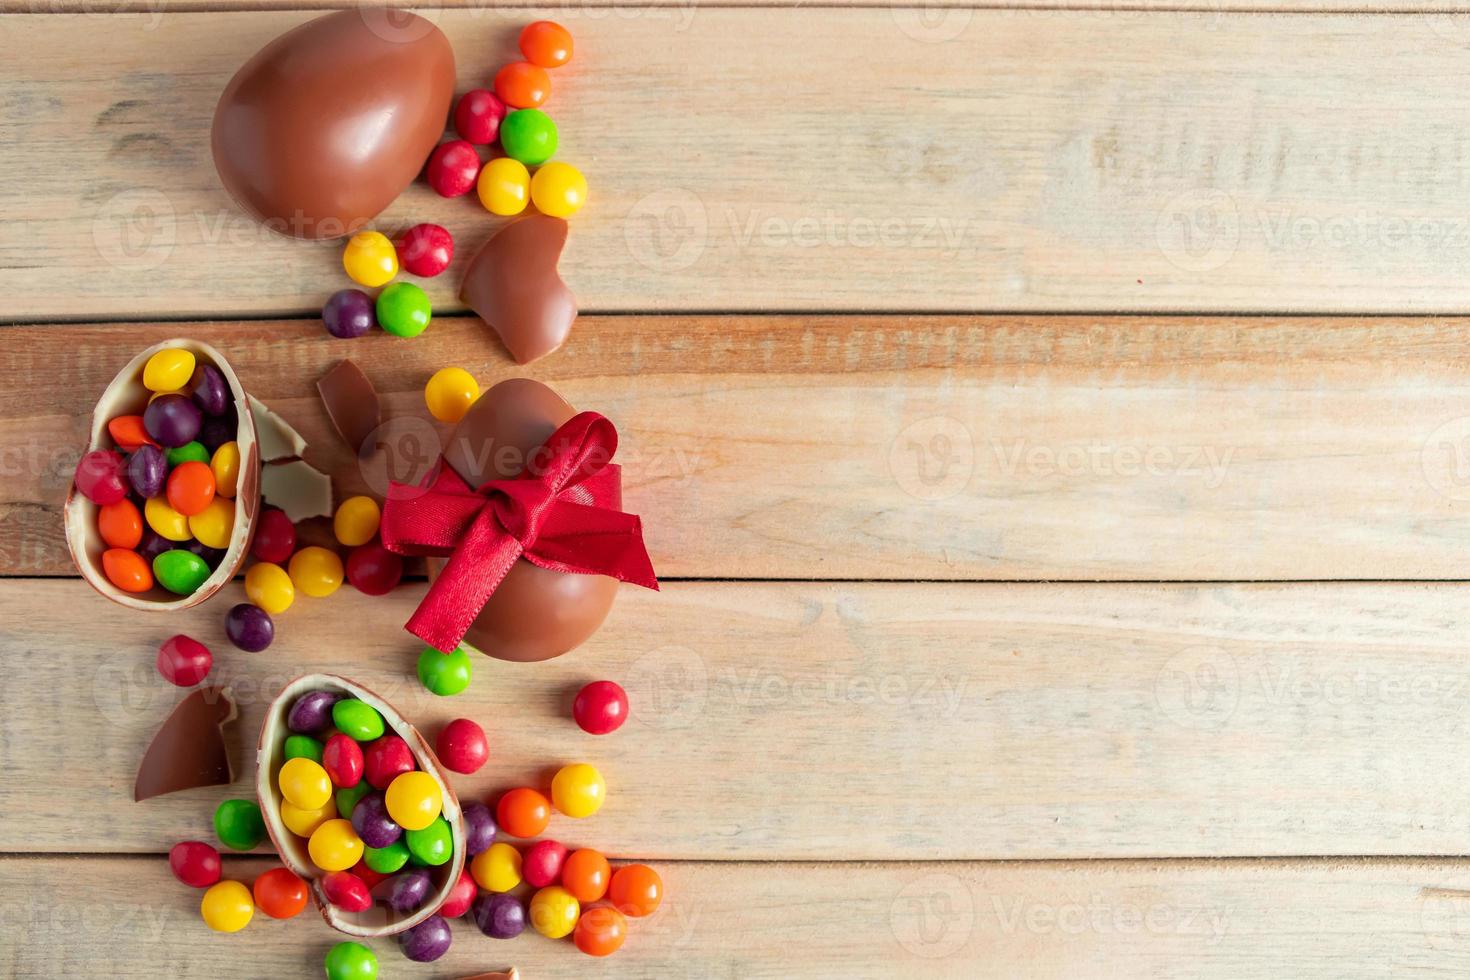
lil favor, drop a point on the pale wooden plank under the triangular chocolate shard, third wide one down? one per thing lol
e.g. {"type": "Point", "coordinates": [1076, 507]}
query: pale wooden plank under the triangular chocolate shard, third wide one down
{"type": "Point", "coordinates": [840, 722]}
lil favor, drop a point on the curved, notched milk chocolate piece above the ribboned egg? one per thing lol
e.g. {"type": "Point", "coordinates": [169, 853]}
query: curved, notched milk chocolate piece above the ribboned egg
{"type": "Point", "coordinates": [514, 286]}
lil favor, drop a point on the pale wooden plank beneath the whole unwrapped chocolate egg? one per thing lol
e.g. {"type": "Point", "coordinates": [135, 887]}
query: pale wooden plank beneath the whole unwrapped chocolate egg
{"type": "Point", "coordinates": [1046, 161]}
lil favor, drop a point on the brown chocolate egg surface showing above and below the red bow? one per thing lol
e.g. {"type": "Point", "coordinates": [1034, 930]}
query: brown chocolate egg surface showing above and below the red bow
{"type": "Point", "coordinates": [536, 613]}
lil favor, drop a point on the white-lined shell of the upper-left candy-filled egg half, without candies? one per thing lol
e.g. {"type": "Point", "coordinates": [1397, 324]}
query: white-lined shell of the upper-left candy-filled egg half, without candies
{"type": "Point", "coordinates": [124, 397]}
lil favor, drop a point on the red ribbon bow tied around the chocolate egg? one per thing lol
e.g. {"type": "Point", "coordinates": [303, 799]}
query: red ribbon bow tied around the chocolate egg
{"type": "Point", "coordinates": [561, 514]}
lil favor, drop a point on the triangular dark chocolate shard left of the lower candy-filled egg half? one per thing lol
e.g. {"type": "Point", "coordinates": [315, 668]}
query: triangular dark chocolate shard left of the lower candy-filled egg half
{"type": "Point", "coordinates": [189, 752]}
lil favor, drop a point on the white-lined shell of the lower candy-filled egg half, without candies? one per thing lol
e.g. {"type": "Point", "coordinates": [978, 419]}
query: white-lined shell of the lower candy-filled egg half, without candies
{"type": "Point", "coordinates": [380, 920]}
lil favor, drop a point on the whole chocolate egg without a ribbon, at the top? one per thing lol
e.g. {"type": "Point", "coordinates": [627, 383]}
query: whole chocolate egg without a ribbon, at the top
{"type": "Point", "coordinates": [327, 124]}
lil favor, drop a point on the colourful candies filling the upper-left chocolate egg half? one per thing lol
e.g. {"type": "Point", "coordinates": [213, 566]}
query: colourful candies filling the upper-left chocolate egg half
{"type": "Point", "coordinates": [165, 493]}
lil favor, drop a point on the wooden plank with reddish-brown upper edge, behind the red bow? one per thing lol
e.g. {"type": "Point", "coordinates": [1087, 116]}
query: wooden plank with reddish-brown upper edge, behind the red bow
{"type": "Point", "coordinates": [905, 447]}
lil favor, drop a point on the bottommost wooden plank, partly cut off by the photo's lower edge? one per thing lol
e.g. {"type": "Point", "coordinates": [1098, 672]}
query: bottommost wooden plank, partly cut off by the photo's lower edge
{"type": "Point", "coordinates": [127, 918]}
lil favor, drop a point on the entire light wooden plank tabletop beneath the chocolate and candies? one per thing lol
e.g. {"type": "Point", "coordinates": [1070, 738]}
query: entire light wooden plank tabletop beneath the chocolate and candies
{"type": "Point", "coordinates": [1052, 424]}
